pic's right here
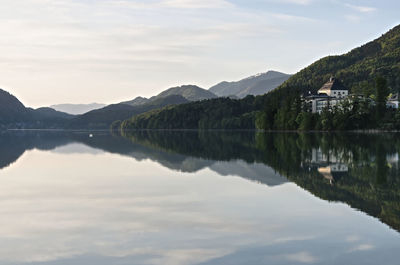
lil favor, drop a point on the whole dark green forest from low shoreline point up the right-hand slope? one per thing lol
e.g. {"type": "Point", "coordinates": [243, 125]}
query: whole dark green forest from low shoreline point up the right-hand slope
{"type": "Point", "coordinates": [371, 72]}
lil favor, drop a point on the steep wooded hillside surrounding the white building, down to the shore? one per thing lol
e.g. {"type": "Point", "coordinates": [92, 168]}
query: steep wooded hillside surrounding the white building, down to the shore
{"type": "Point", "coordinates": [371, 71]}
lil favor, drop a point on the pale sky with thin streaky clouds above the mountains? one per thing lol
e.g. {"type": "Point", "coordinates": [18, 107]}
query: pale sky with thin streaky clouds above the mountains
{"type": "Point", "coordinates": [107, 51]}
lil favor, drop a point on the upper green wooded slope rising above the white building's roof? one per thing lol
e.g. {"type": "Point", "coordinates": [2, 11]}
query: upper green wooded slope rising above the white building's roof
{"type": "Point", "coordinates": [358, 68]}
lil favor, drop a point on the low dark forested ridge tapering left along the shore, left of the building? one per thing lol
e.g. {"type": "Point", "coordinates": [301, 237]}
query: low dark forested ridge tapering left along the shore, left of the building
{"type": "Point", "coordinates": [206, 114]}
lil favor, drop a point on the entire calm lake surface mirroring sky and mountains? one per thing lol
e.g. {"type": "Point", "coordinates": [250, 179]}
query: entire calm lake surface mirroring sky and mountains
{"type": "Point", "coordinates": [199, 198]}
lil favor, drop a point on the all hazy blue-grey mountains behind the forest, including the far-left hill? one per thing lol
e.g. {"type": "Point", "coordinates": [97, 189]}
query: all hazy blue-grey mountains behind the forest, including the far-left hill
{"type": "Point", "coordinates": [13, 114]}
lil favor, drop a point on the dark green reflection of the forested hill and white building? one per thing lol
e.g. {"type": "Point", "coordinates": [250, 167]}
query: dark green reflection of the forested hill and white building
{"type": "Point", "coordinates": [361, 170]}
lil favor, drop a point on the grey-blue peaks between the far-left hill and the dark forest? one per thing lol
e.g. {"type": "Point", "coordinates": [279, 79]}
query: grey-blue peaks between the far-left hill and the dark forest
{"type": "Point", "coordinates": [103, 117]}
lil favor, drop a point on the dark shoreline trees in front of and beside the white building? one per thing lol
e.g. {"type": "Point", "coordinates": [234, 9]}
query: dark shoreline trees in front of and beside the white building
{"type": "Point", "coordinates": [354, 113]}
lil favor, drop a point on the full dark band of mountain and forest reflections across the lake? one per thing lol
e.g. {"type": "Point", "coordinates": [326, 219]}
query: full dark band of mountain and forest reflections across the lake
{"type": "Point", "coordinates": [361, 170]}
